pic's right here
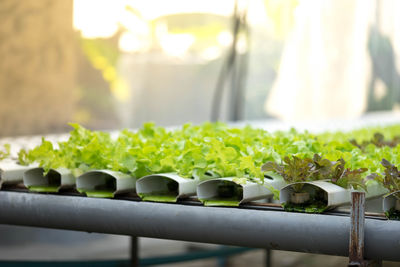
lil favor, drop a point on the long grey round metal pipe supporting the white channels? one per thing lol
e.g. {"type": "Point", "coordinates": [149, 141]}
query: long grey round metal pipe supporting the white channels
{"type": "Point", "coordinates": [269, 229]}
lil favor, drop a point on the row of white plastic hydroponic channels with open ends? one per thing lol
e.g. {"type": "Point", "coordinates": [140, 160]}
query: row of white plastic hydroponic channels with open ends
{"type": "Point", "coordinates": [169, 187]}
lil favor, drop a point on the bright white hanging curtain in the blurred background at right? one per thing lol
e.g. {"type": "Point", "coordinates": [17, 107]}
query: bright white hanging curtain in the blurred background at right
{"type": "Point", "coordinates": [325, 67]}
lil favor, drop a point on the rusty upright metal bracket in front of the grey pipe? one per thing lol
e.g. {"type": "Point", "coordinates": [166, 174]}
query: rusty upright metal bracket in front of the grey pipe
{"type": "Point", "coordinates": [356, 244]}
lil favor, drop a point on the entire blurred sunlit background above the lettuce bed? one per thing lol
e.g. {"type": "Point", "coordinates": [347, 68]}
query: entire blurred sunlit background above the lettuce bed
{"type": "Point", "coordinates": [113, 64]}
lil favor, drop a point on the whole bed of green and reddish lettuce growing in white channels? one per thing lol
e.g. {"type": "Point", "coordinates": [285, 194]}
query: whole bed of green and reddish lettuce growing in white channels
{"type": "Point", "coordinates": [217, 150]}
